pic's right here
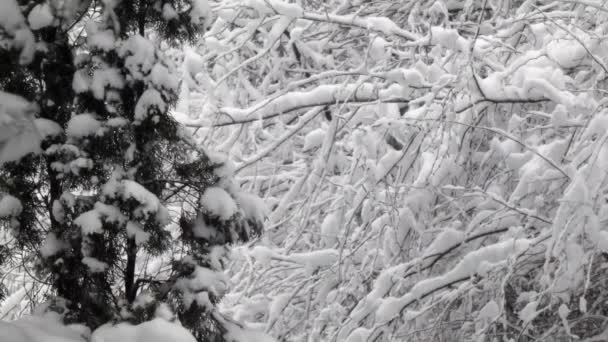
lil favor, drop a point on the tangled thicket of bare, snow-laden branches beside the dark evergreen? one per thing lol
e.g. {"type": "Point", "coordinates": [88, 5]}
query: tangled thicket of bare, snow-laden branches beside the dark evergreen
{"type": "Point", "coordinates": [435, 170]}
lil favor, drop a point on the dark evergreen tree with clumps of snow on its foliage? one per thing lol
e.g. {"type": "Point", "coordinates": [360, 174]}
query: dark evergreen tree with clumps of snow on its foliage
{"type": "Point", "coordinates": [89, 201]}
